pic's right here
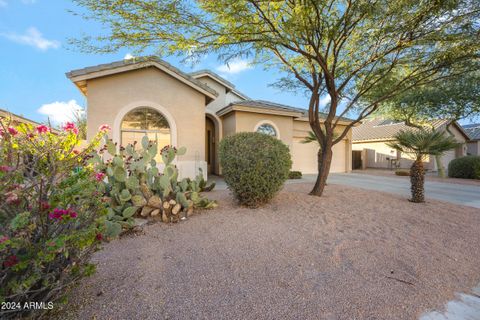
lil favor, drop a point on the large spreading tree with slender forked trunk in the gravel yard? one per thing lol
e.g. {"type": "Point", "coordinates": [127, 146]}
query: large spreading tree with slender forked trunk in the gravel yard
{"type": "Point", "coordinates": [343, 48]}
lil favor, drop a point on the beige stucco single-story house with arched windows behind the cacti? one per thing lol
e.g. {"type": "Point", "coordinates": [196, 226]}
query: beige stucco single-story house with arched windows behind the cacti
{"type": "Point", "coordinates": [149, 96]}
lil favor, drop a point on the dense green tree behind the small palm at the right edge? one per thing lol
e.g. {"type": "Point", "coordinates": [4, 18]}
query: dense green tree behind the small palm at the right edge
{"type": "Point", "coordinates": [453, 99]}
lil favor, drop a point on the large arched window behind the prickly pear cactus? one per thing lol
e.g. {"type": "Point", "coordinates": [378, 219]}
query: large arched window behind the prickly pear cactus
{"type": "Point", "coordinates": [145, 121]}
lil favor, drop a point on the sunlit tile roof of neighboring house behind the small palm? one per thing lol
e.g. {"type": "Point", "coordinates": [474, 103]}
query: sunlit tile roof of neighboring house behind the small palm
{"type": "Point", "coordinates": [384, 129]}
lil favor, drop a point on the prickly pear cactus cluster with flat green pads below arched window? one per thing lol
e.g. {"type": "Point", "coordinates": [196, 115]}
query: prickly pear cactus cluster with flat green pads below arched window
{"type": "Point", "coordinates": [134, 186]}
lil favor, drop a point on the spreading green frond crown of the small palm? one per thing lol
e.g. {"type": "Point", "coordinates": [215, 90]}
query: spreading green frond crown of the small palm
{"type": "Point", "coordinates": [422, 142]}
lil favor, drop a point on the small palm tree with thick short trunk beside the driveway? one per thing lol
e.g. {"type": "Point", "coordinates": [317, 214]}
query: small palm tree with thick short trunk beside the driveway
{"type": "Point", "coordinates": [421, 143]}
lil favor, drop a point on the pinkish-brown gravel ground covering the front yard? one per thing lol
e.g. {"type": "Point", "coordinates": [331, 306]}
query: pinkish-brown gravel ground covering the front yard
{"type": "Point", "coordinates": [352, 254]}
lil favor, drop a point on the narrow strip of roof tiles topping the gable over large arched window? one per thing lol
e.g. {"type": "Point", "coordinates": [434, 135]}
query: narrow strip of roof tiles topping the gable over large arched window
{"type": "Point", "coordinates": [141, 62]}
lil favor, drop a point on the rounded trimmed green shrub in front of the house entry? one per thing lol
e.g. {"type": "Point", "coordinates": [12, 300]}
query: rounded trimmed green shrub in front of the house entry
{"type": "Point", "coordinates": [255, 166]}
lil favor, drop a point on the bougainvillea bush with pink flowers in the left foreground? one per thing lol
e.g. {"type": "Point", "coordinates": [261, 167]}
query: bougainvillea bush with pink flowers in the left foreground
{"type": "Point", "coordinates": [51, 216]}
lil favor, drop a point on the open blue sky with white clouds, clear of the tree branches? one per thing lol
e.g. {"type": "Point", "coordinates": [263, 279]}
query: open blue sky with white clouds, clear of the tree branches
{"type": "Point", "coordinates": [34, 57]}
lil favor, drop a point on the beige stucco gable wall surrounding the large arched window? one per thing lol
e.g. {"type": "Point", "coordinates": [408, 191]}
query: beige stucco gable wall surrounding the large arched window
{"type": "Point", "coordinates": [109, 98]}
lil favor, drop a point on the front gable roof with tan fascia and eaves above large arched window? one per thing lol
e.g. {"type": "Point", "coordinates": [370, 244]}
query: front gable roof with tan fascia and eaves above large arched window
{"type": "Point", "coordinates": [81, 76]}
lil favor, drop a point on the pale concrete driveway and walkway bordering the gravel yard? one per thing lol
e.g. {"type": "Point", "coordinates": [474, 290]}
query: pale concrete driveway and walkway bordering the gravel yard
{"type": "Point", "coordinates": [464, 194]}
